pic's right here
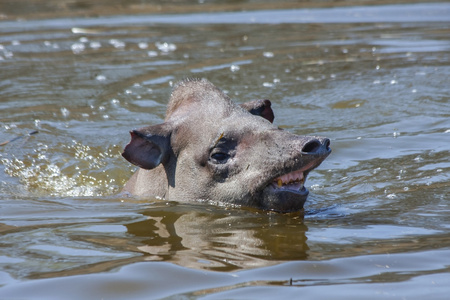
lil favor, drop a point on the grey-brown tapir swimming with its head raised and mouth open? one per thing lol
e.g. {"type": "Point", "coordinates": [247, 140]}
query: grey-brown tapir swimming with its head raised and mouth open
{"type": "Point", "coordinates": [211, 149]}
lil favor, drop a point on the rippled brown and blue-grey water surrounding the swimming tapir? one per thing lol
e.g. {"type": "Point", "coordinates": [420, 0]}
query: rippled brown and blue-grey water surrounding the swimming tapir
{"type": "Point", "coordinates": [373, 78]}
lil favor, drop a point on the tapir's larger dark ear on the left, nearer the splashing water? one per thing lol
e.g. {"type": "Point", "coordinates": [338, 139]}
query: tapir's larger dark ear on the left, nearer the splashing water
{"type": "Point", "coordinates": [149, 146]}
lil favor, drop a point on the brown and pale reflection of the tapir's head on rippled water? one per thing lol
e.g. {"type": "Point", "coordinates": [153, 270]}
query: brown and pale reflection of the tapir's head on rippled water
{"type": "Point", "coordinates": [222, 241]}
